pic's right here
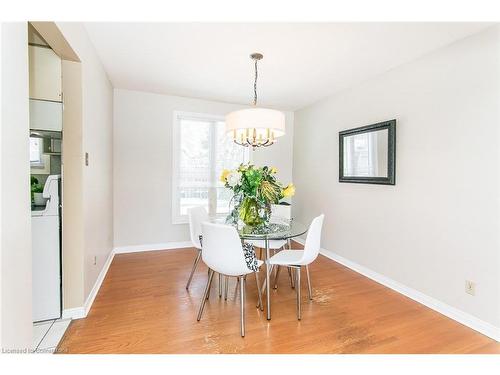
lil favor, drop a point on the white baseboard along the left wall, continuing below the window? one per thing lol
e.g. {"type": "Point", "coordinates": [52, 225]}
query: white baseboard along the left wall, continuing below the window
{"type": "Point", "coordinates": [82, 312]}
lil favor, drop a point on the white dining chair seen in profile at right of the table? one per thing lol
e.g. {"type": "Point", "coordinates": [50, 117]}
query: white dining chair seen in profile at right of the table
{"type": "Point", "coordinates": [300, 258]}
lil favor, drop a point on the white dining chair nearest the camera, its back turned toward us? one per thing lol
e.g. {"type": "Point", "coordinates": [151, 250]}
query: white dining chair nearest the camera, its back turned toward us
{"type": "Point", "coordinates": [223, 253]}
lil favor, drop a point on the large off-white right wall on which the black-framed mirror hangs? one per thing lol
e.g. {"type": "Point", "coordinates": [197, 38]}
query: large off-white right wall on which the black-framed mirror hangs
{"type": "Point", "coordinates": [439, 225]}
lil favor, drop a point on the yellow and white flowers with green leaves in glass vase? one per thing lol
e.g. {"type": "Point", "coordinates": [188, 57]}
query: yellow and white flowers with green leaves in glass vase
{"type": "Point", "coordinates": [255, 190]}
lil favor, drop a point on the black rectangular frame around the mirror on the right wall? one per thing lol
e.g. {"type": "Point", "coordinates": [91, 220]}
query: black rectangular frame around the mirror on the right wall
{"type": "Point", "coordinates": [391, 157]}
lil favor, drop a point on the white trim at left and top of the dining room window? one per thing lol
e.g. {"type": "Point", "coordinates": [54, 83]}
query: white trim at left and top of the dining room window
{"type": "Point", "coordinates": [177, 218]}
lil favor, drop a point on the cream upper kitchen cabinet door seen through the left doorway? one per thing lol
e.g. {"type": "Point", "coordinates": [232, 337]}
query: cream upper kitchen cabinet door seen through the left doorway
{"type": "Point", "coordinates": [45, 74]}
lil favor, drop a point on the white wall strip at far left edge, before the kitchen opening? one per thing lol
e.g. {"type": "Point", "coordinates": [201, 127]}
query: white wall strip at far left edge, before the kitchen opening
{"type": "Point", "coordinates": [16, 312]}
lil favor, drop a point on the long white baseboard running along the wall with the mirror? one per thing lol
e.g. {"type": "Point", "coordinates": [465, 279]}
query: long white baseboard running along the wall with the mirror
{"type": "Point", "coordinates": [451, 312]}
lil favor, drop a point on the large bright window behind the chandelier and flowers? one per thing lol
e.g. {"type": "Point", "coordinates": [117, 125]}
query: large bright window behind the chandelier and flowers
{"type": "Point", "coordinates": [201, 151]}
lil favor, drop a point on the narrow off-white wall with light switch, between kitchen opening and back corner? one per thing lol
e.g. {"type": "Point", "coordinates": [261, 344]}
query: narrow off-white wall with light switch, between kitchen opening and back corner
{"type": "Point", "coordinates": [97, 140]}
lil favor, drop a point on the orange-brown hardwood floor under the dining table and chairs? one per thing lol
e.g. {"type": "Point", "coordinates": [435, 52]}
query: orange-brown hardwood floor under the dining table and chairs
{"type": "Point", "coordinates": [143, 307]}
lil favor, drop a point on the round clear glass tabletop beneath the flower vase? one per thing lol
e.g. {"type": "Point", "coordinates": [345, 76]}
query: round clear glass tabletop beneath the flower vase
{"type": "Point", "coordinates": [271, 231]}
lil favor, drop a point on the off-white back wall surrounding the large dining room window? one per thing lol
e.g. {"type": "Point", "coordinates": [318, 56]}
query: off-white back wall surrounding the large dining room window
{"type": "Point", "coordinates": [143, 163]}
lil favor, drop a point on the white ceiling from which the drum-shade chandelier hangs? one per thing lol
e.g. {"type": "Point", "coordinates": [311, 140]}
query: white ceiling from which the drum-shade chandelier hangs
{"type": "Point", "coordinates": [302, 62]}
